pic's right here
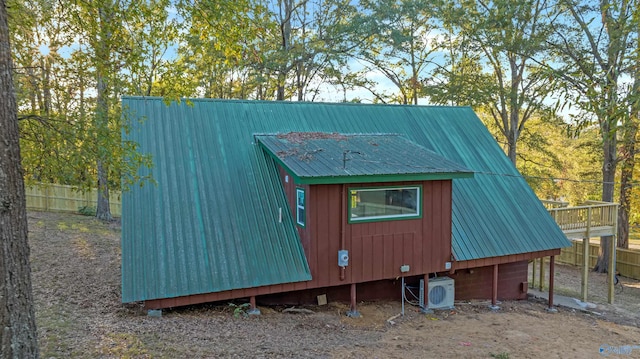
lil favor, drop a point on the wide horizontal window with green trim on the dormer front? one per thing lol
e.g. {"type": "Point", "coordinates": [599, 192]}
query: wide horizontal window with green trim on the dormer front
{"type": "Point", "coordinates": [376, 204]}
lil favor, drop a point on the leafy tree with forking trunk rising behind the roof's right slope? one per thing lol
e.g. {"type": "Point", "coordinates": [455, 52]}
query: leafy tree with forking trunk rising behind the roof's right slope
{"type": "Point", "coordinates": [491, 53]}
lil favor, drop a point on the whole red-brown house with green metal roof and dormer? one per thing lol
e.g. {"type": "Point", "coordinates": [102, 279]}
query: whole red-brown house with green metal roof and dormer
{"type": "Point", "coordinates": [261, 199]}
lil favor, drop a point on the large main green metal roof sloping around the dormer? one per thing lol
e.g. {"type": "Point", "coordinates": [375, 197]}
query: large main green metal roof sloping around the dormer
{"type": "Point", "coordinates": [213, 221]}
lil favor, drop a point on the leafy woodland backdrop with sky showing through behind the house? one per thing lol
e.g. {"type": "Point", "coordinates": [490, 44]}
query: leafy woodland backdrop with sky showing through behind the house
{"type": "Point", "coordinates": [502, 58]}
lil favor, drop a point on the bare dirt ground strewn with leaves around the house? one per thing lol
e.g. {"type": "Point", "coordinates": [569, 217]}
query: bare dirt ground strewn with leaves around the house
{"type": "Point", "coordinates": [76, 282]}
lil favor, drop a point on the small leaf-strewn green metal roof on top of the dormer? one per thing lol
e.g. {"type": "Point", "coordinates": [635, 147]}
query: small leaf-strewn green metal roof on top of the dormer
{"type": "Point", "coordinates": [329, 158]}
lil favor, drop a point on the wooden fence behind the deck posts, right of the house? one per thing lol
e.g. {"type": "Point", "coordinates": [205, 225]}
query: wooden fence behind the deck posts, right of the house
{"type": "Point", "coordinates": [627, 260]}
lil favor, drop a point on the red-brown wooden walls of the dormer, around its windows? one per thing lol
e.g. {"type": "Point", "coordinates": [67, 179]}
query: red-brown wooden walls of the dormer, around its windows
{"type": "Point", "coordinates": [376, 249]}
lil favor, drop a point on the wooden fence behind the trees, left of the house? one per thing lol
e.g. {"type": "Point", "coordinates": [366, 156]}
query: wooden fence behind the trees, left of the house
{"type": "Point", "coordinates": [61, 198]}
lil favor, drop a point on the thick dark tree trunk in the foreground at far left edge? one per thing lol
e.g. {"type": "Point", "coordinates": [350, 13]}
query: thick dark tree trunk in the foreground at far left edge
{"type": "Point", "coordinates": [18, 338]}
